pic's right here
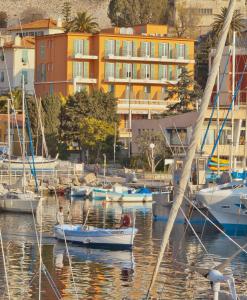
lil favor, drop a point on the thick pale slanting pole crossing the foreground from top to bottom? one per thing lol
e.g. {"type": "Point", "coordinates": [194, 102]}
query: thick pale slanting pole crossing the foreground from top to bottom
{"type": "Point", "coordinates": [186, 171]}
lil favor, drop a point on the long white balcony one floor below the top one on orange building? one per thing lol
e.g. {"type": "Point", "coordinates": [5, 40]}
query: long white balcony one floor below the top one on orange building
{"type": "Point", "coordinates": [161, 81]}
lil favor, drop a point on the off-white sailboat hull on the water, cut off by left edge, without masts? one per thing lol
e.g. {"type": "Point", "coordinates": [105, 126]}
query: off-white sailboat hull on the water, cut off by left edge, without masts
{"type": "Point", "coordinates": [19, 202]}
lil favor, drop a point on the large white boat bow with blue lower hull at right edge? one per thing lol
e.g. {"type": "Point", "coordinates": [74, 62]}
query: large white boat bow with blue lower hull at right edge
{"type": "Point", "coordinates": [227, 203]}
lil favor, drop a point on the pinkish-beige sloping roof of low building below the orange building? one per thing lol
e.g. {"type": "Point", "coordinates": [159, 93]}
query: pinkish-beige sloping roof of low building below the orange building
{"type": "Point", "coordinates": [178, 121]}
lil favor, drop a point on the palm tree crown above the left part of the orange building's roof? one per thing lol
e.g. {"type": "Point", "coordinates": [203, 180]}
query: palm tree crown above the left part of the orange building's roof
{"type": "Point", "coordinates": [84, 23]}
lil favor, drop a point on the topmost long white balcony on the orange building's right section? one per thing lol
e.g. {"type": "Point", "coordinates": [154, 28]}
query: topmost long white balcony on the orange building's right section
{"type": "Point", "coordinates": [142, 57]}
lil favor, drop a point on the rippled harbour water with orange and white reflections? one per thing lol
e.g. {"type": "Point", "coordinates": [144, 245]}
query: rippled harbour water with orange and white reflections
{"type": "Point", "coordinates": [104, 274]}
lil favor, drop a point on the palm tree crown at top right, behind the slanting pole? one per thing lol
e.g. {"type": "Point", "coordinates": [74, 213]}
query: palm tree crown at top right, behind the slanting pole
{"type": "Point", "coordinates": [237, 23]}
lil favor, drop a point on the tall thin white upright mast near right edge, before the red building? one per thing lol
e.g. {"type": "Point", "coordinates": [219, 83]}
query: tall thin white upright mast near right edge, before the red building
{"type": "Point", "coordinates": [232, 163]}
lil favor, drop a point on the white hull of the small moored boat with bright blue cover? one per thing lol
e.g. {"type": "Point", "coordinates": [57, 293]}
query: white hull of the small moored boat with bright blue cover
{"type": "Point", "coordinates": [124, 197]}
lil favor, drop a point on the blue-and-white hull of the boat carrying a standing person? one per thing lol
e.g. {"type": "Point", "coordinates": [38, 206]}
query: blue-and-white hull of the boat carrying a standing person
{"type": "Point", "coordinates": [93, 236]}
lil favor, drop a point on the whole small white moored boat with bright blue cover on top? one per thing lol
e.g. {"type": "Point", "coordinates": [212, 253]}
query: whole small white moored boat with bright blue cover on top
{"type": "Point", "coordinates": [140, 195]}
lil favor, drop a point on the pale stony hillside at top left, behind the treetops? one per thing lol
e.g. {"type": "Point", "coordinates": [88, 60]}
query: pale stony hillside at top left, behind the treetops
{"type": "Point", "coordinates": [97, 8]}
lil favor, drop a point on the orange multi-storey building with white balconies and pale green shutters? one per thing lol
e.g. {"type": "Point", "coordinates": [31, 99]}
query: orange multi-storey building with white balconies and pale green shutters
{"type": "Point", "coordinates": [138, 65]}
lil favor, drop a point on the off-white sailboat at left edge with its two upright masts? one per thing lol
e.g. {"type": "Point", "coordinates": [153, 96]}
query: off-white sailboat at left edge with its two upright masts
{"type": "Point", "coordinates": [15, 197]}
